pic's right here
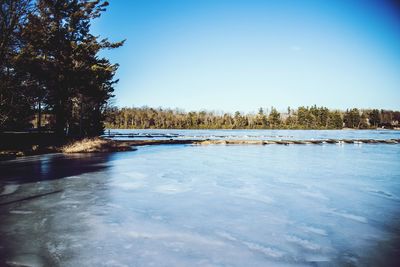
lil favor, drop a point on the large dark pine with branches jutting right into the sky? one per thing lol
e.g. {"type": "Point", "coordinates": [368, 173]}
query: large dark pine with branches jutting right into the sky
{"type": "Point", "coordinates": [65, 56]}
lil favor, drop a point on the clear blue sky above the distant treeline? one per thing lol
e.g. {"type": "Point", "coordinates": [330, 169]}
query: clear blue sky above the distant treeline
{"type": "Point", "coordinates": [240, 55]}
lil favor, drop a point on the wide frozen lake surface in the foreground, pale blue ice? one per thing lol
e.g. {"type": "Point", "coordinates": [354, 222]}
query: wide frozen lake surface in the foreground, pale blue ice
{"type": "Point", "coordinates": [184, 205]}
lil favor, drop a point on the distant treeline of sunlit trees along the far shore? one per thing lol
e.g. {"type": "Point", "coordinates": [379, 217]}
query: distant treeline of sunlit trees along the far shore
{"type": "Point", "coordinates": [301, 118]}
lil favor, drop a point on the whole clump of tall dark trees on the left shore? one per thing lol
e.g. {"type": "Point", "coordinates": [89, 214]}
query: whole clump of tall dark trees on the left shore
{"type": "Point", "coordinates": [50, 64]}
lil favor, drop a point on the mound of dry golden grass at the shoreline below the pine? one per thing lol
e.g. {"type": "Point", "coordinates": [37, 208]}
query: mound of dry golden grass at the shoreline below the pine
{"type": "Point", "coordinates": [88, 145]}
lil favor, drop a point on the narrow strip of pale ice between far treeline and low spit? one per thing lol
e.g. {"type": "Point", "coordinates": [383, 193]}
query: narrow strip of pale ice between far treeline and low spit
{"type": "Point", "coordinates": [253, 134]}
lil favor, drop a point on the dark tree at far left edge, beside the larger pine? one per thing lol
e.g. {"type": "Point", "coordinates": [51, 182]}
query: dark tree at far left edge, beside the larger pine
{"type": "Point", "coordinates": [15, 97]}
